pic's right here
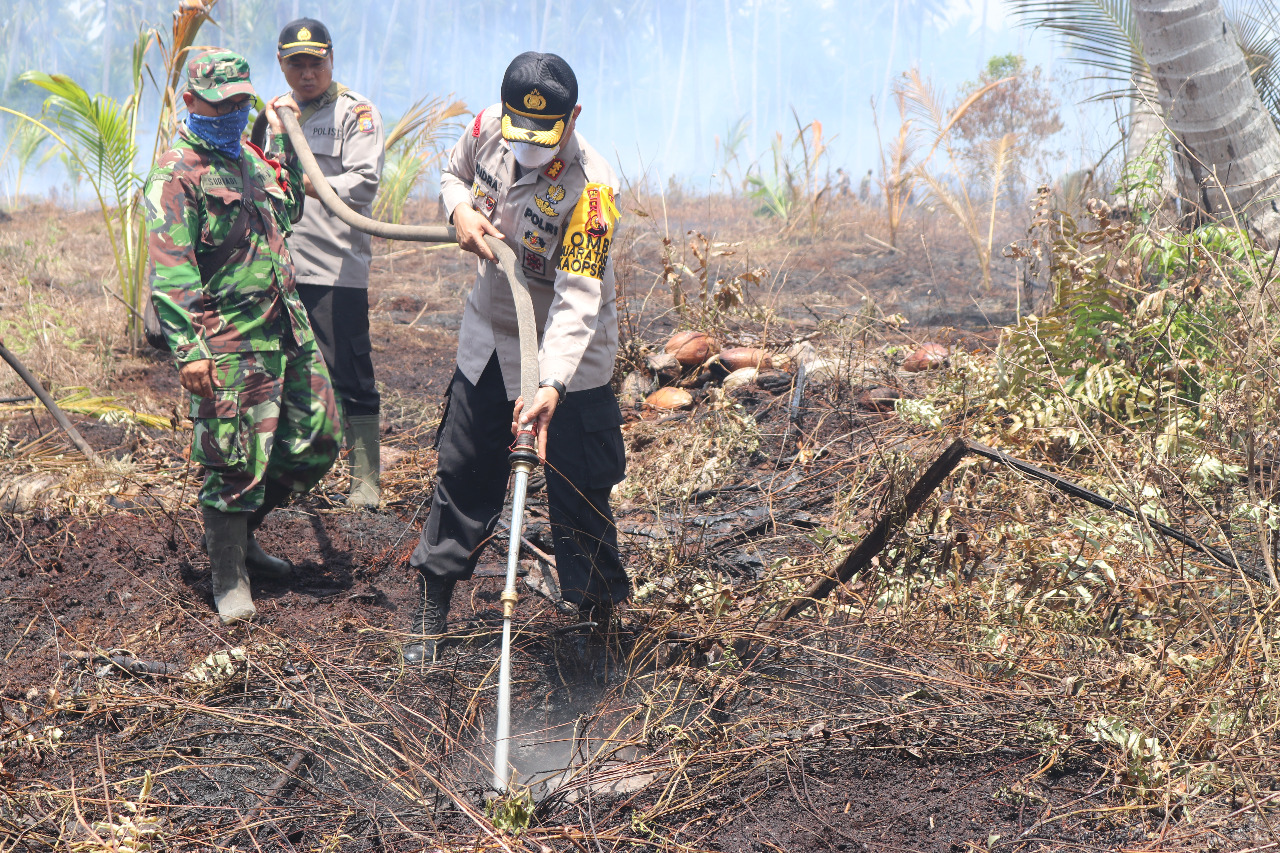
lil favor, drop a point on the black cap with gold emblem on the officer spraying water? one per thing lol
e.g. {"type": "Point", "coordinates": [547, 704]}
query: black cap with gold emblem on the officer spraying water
{"type": "Point", "coordinates": [538, 94]}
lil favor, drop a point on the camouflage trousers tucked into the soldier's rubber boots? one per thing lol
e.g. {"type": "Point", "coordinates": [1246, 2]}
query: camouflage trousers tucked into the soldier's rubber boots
{"type": "Point", "coordinates": [273, 417]}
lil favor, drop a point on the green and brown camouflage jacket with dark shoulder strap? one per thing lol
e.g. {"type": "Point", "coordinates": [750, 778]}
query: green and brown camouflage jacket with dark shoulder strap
{"type": "Point", "coordinates": [193, 199]}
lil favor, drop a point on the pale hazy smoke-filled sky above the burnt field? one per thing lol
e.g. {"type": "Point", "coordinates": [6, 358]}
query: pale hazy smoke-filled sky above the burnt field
{"type": "Point", "coordinates": [660, 80]}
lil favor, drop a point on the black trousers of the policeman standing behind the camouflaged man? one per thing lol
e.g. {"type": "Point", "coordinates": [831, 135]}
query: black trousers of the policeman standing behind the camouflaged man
{"type": "Point", "coordinates": [340, 320]}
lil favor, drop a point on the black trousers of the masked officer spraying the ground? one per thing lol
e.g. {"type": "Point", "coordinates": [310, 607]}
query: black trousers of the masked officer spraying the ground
{"type": "Point", "coordinates": [586, 458]}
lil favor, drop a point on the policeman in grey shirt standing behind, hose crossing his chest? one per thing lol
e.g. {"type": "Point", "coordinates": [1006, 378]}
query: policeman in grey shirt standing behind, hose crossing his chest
{"type": "Point", "coordinates": [345, 133]}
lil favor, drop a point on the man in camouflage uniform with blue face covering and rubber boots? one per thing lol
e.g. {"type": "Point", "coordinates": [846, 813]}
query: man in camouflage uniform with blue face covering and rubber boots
{"type": "Point", "coordinates": [263, 407]}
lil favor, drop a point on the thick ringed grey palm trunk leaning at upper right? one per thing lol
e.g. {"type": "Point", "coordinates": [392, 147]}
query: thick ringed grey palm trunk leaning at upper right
{"type": "Point", "coordinates": [1227, 139]}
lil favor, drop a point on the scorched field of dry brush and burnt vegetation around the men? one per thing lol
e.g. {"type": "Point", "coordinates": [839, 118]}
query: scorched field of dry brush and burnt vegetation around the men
{"type": "Point", "coordinates": [1013, 670]}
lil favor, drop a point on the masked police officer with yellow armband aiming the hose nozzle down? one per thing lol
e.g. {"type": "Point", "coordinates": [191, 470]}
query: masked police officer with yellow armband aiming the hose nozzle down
{"type": "Point", "coordinates": [523, 175]}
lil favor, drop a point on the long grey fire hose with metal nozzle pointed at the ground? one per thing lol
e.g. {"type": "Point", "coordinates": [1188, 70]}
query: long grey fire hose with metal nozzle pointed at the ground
{"type": "Point", "coordinates": [524, 457]}
